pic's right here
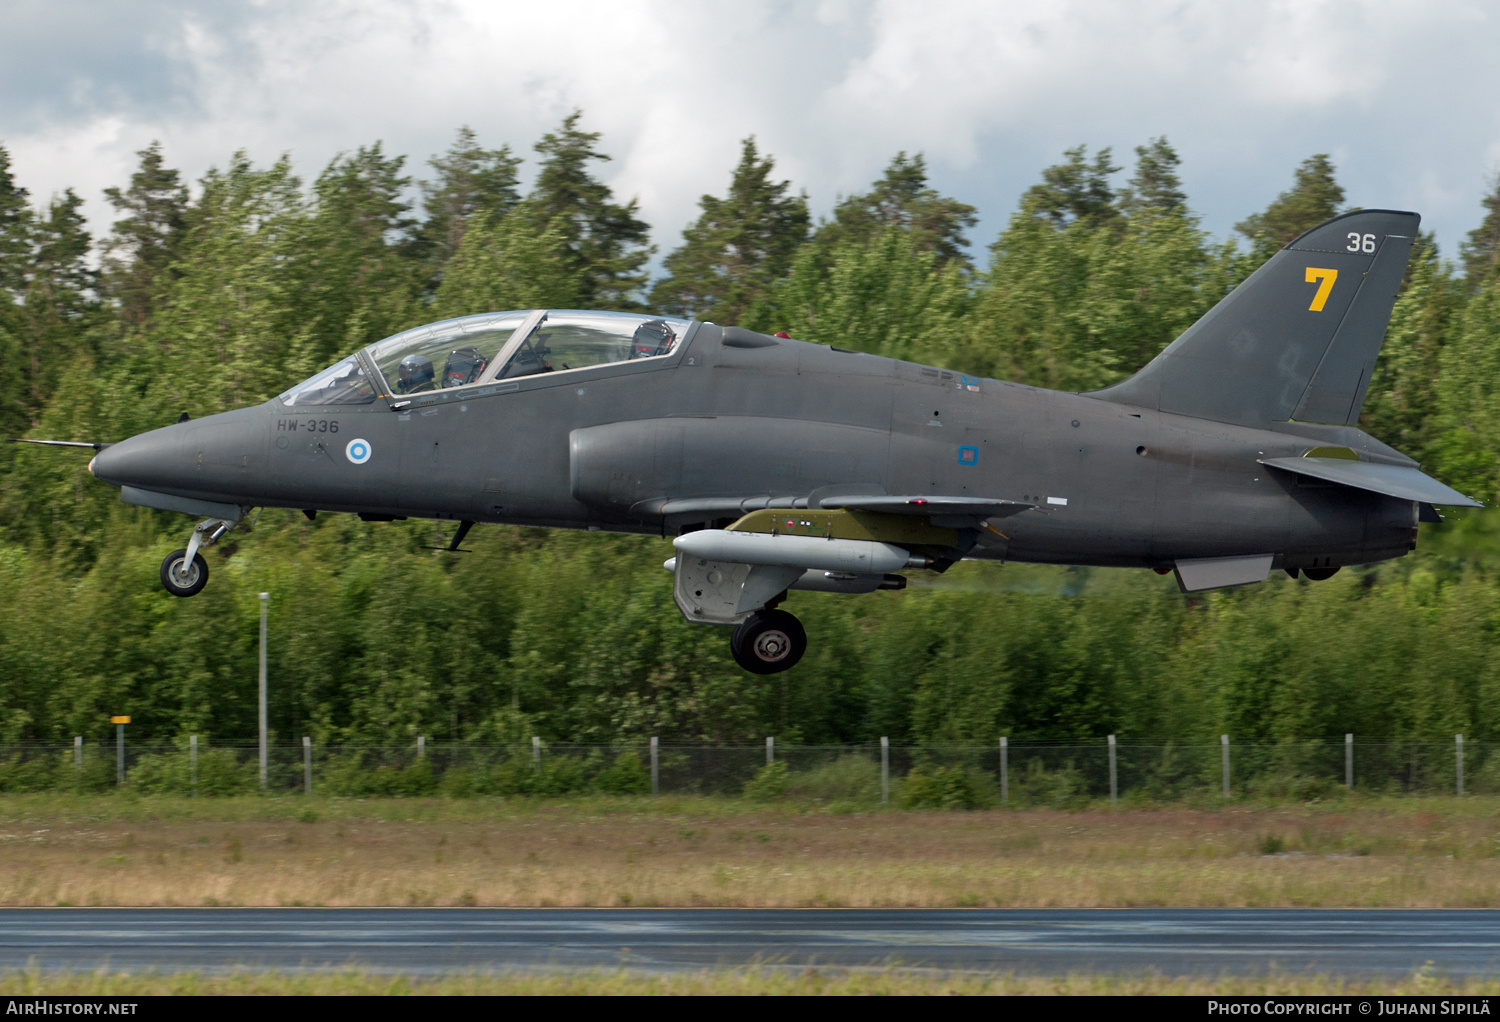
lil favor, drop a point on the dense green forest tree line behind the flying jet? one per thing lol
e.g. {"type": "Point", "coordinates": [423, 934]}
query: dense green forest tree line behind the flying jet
{"type": "Point", "coordinates": [209, 298]}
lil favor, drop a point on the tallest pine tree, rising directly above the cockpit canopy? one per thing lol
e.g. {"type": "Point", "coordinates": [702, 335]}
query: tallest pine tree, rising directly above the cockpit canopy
{"type": "Point", "coordinates": [604, 242]}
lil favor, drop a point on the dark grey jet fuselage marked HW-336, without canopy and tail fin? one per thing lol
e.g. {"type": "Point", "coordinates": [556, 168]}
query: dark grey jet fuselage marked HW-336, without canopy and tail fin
{"type": "Point", "coordinates": [734, 421]}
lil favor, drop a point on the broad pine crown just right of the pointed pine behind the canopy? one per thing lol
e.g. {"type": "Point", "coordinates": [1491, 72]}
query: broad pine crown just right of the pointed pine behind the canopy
{"type": "Point", "coordinates": [904, 199]}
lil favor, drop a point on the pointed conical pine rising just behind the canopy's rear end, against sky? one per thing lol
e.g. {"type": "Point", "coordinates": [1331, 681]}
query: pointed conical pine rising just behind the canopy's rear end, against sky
{"type": "Point", "coordinates": [737, 248]}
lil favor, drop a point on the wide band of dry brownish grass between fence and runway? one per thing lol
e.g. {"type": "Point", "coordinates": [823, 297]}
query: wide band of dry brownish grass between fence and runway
{"type": "Point", "coordinates": [257, 852]}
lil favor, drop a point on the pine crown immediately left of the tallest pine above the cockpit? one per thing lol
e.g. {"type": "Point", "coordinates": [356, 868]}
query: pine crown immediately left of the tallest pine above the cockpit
{"type": "Point", "coordinates": [472, 181]}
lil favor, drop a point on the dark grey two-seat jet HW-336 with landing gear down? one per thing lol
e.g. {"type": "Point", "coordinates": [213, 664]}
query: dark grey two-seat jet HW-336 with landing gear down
{"type": "Point", "coordinates": [775, 464]}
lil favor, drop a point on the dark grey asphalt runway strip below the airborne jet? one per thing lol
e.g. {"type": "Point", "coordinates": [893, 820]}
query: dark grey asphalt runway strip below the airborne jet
{"type": "Point", "coordinates": [1027, 942]}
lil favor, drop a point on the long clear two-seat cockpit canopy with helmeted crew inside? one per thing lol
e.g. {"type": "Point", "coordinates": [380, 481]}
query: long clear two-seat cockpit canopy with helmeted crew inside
{"type": "Point", "coordinates": [481, 349]}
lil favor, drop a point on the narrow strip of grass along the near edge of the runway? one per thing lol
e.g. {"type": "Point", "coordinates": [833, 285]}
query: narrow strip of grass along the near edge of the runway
{"type": "Point", "coordinates": [734, 982]}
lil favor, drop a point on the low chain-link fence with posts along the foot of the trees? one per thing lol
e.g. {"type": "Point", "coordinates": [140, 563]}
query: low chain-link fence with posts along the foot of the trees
{"type": "Point", "coordinates": [1001, 774]}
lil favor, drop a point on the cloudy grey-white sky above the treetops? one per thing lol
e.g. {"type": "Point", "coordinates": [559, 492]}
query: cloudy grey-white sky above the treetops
{"type": "Point", "coordinates": [1403, 95]}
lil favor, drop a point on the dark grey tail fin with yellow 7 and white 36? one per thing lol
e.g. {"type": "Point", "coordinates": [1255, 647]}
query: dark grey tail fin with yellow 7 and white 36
{"type": "Point", "coordinates": [1298, 340]}
